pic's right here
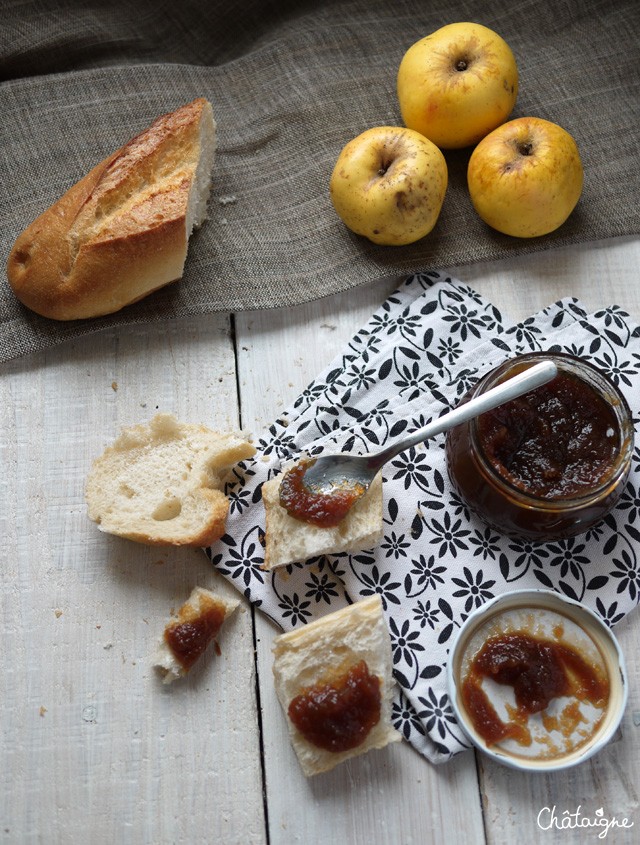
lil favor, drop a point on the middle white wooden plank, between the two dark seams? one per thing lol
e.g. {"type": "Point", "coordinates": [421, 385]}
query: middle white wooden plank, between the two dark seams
{"type": "Point", "coordinates": [393, 795]}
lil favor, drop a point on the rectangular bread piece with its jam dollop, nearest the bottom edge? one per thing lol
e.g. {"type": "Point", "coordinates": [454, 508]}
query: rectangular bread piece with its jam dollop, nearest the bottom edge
{"type": "Point", "coordinates": [322, 686]}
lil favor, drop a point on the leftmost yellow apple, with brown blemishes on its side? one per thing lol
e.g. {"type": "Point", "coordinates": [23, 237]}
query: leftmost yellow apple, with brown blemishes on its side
{"type": "Point", "coordinates": [388, 184]}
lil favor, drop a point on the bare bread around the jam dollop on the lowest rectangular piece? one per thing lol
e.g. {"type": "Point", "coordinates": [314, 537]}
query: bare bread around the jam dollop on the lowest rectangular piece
{"type": "Point", "coordinates": [312, 656]}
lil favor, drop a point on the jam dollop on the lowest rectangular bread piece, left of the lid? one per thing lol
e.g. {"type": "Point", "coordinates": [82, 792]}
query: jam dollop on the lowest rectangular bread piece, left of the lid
{"type": "Point", "coordinates": [338, 715]}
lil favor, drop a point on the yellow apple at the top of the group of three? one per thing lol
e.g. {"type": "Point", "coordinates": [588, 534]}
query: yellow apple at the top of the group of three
{"type": "Point", "coordinates": [457, 84]}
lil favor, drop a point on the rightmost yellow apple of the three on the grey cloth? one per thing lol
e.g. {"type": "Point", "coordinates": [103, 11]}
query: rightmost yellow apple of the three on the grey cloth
{"type": "Point", "coordinates": [525, 178]}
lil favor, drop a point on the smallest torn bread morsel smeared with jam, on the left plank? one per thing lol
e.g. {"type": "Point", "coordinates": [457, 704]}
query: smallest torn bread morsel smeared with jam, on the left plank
{"type": "Point", "coordinates": [188, 634]}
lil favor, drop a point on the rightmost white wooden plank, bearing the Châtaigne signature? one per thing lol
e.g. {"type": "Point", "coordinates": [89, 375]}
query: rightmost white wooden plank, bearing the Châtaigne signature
{"type": "Point", "coordinates": [599, 275]}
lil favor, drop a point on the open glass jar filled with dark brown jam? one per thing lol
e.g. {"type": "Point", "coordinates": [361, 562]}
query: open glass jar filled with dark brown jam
{"type": "Point", "coordinates": [550, 464]}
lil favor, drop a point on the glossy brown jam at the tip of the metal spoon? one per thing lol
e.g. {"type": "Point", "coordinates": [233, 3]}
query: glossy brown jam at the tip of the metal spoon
{"type": "Point", "coordinates": [325, 510]}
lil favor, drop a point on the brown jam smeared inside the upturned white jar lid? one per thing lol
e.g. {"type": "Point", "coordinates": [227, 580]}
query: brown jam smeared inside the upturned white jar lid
{"type": "Point", "coordinates": [539, 670]}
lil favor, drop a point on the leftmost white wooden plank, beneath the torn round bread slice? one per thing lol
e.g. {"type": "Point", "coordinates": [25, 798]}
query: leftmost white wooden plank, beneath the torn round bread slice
{"type": "Point", "coordinates": [96, 749]}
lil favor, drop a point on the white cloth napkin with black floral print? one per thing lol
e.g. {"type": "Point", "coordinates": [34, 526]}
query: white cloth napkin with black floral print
{"type": "Point", "coordinates": [415, 358]}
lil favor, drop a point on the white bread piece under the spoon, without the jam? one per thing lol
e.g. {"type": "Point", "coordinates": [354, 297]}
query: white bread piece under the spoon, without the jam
{"type": "Point", "coordinates": [290, 540]}
